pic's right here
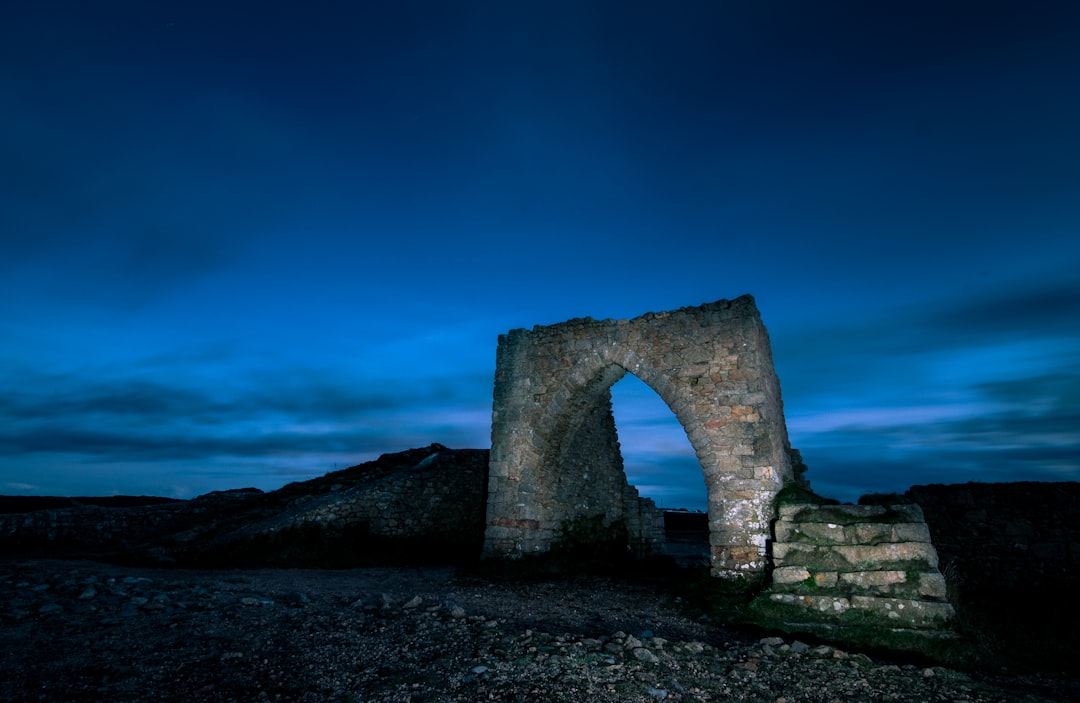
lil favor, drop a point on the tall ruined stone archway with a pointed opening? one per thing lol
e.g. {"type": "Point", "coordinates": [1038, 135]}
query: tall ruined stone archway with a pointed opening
{"type": "Point", "coordinates": [556, 457]}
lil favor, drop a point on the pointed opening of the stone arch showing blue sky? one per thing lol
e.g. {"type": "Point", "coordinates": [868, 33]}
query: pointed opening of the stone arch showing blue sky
{"type": "Point", "coordinates": [663, 465]}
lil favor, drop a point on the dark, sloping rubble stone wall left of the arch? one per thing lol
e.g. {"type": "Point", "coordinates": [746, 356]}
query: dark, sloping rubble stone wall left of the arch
{"type": "Point", "coordinates": [420, 506]}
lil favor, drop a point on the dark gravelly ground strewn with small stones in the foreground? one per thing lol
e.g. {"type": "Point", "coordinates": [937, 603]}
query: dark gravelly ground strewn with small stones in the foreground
{"type": "Point", "coordinates": [82, 631]}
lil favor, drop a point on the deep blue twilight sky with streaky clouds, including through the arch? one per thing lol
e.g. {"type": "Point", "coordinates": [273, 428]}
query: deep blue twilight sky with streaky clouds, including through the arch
{"type": "Point", "coordinates": [244, 245]}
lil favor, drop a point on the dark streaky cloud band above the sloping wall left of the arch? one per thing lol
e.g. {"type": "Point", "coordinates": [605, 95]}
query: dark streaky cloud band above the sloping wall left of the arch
{"type": "Point", "coordinates": [301, 412]}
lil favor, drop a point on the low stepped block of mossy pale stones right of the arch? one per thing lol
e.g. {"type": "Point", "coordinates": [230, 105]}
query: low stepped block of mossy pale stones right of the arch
{"type": "Point", "coordinates": [858, 565]}
